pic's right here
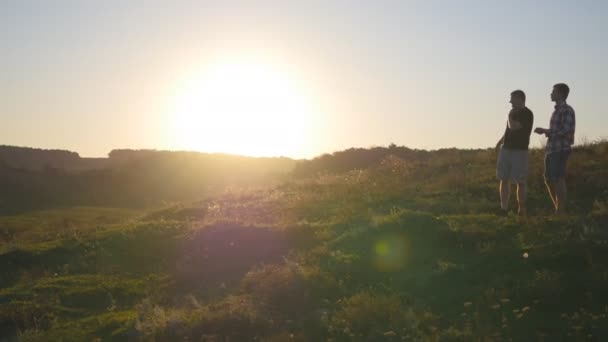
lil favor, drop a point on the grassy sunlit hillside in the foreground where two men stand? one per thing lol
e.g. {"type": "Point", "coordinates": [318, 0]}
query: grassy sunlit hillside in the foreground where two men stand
{"type": "Point", "coordinates": [387, 244]}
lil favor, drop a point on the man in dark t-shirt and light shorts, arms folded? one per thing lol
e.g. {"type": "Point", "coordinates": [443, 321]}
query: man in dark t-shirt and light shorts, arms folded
{"type": "Point", "coordinates": [512, 165]}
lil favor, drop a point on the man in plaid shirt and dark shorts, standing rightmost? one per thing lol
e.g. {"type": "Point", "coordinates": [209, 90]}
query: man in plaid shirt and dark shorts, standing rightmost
{"type": "Point", "coordinates": [560, 138]}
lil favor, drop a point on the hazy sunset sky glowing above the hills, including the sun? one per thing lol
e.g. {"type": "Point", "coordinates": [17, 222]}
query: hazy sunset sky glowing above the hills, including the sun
{"type": "Point", "coordinates": [293, 78]}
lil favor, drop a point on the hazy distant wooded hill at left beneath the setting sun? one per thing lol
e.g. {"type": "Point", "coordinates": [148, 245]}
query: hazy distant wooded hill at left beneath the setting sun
{"type": "Point", "coordinates": [35, 179]}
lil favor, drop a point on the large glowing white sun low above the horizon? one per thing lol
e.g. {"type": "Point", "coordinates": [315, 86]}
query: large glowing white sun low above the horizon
{"type": "Point", "coordinates": [243, 107]}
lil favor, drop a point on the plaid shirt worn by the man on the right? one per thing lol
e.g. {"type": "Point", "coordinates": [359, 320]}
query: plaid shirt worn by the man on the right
{"type": "Point", "coordinates": [561, 130]}
